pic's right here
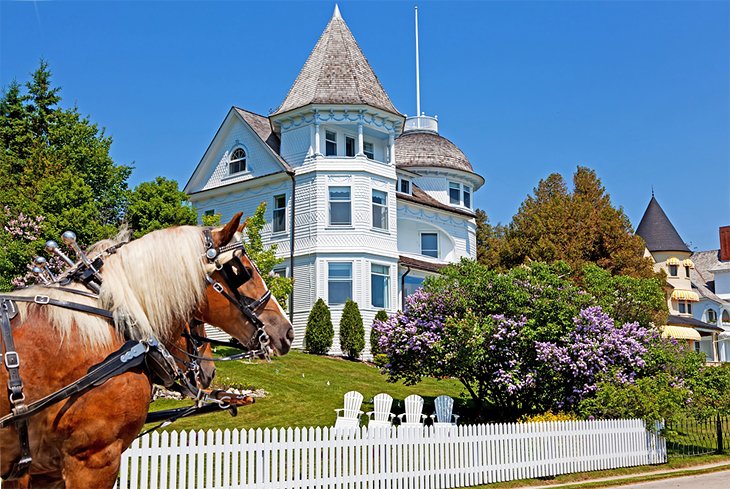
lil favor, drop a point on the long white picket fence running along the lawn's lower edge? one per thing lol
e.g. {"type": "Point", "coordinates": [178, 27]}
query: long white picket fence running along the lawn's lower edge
{"type": "Point", "coordinates": [385, 458]}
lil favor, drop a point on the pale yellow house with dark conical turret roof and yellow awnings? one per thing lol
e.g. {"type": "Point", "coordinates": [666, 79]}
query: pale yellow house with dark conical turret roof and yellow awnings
{"type": "Point", "coordinates": [670, 253]}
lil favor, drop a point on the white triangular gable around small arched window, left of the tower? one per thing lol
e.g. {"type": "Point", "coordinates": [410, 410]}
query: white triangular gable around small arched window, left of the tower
{"type": "Point", "coordinates": [234, 133]}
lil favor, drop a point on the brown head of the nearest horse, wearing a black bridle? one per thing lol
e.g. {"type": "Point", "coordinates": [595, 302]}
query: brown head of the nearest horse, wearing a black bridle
{"type": "Point", "coordinates": [238, 300]}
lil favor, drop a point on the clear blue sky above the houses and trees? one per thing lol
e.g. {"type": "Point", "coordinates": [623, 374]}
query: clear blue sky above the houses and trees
{"type": "Point", "coordinates": [639, 91]}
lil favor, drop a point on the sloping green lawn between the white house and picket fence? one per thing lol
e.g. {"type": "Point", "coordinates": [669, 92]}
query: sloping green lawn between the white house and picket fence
{"type": "Point", "coordinates": [304, 390]}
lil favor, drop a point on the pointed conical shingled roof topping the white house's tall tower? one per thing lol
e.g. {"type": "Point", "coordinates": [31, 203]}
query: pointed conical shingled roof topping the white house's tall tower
{"type": "Point", "coordinates": [337, 72]}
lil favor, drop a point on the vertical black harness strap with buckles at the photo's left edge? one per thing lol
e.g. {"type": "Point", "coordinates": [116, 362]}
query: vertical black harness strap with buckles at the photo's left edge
{"type": "Point", "coordinates": [15, 391]}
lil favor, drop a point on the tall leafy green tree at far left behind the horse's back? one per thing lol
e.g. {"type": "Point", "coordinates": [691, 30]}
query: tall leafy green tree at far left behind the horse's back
{"type": "Point", "coordinates": [55, 169]}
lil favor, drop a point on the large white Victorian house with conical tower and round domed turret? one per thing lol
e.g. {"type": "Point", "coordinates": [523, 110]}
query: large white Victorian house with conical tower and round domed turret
{"type": "Point", "coordinates": [362, 202]}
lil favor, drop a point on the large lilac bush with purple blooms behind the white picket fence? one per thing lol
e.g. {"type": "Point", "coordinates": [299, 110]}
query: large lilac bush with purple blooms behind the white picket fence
{"type": "Point", "coordinates": [523, 342]}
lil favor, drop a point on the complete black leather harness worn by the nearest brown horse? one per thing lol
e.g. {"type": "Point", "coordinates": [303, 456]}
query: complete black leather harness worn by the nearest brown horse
{"type": "Point", "coordinates": [159, 363]}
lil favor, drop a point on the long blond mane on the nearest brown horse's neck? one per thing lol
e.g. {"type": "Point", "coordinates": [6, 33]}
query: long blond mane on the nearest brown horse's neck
{"type": "Point", "coordinates": [150, 285]}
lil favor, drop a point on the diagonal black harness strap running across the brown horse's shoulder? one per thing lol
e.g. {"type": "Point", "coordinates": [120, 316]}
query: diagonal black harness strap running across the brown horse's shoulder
{"type": "Point", "coordinates": [129, 356]}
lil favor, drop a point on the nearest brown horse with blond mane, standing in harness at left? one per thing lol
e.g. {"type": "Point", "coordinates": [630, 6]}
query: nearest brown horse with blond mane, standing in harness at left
{"type": "Point", "coordinates": [153, 286]}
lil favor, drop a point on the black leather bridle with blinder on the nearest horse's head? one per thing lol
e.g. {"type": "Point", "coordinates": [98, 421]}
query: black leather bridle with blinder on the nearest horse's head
{"type": "Point", "coordinates": [226, 260]}
